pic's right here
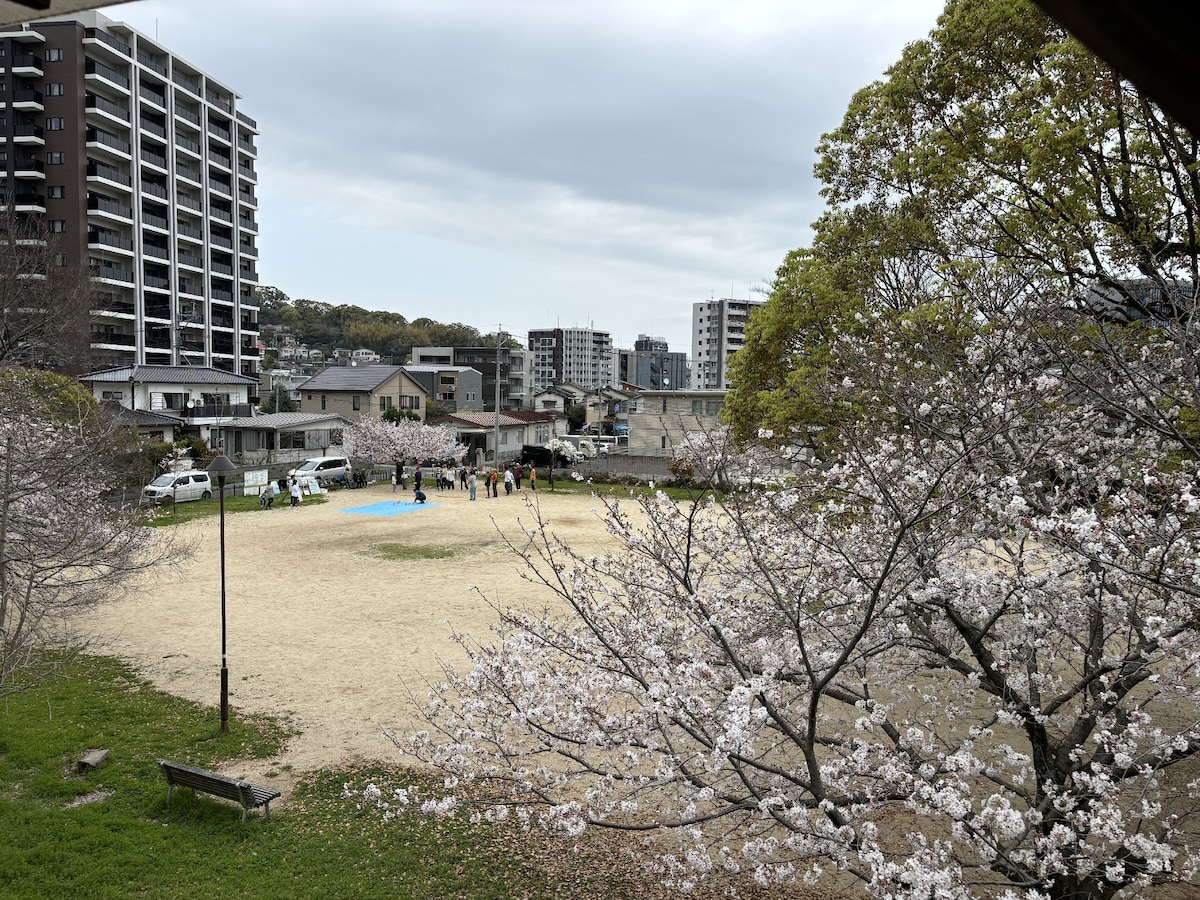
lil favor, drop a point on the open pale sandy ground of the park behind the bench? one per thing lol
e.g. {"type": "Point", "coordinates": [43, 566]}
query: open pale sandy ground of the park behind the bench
{"type": "Point", "coordinates": [319, 631]}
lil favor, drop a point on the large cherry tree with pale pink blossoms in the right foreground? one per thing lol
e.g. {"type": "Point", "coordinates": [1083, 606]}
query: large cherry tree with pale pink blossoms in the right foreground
{"type": "Point", "coordinates": [958, 661]}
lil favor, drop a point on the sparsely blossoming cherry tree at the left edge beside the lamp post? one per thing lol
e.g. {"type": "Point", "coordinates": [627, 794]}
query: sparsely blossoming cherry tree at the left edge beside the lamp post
{"type": "Point", "coordinates": [64, 545]}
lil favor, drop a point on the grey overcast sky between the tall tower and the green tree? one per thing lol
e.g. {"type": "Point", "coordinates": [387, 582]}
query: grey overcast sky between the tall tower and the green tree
{"type": "Point", "coordinates": [536, 163]}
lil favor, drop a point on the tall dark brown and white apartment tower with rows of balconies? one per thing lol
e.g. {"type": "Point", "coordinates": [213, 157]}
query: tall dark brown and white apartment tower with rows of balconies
{"type": "Point", "coordinates": [142, 169]}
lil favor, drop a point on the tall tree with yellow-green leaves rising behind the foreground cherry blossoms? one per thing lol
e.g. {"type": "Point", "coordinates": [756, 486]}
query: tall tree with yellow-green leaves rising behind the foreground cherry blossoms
{"type": "Point", "coordinates": [999, 159]}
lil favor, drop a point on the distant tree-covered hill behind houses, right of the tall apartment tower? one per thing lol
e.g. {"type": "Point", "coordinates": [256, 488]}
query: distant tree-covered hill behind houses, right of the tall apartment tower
{"type": "Point", "coordinates": [325, 327]}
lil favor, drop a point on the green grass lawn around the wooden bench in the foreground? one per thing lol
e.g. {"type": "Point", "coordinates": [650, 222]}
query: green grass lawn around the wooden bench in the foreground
{"type": "Point", "coordinates": [129, 843]}
